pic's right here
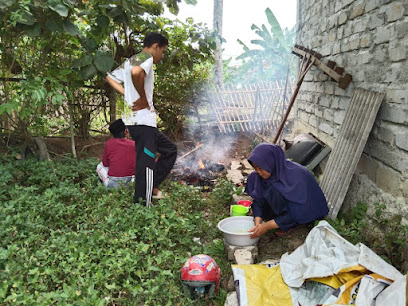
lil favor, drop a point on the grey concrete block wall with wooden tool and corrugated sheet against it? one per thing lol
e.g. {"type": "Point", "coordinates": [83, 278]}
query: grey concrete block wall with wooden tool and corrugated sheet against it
{"type": "Point", "coordinates": [369, 39]}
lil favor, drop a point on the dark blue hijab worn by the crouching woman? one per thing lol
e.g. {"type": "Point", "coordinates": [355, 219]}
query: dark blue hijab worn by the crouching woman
{"type": "Point", "coordinates": [288, 178]}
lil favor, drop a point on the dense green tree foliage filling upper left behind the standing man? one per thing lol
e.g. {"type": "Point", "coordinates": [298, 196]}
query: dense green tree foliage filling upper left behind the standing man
{"type": "Point", "coordinates": [55, 53]}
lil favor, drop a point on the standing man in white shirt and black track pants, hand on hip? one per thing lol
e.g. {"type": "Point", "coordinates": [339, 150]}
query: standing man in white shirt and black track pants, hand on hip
{"type": "Point", "coordinates": [135, 80]}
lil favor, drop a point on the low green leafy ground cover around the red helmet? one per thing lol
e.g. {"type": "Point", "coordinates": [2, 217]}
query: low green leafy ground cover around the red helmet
{"type": "Point", "coordinates": [66, 239]}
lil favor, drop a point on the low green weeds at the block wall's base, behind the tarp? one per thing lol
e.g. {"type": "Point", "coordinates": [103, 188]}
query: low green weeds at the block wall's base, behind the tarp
{"type": "Point", "coordinates": [384, 235]}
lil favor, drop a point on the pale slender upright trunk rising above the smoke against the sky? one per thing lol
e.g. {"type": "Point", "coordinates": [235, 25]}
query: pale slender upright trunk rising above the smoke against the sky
{"type": "Point", "coordinates": [217, 26]}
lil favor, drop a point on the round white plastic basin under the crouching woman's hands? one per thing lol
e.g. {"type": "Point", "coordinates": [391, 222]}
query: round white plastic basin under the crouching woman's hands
{"type": "Point", "coordinates": [235, 230]}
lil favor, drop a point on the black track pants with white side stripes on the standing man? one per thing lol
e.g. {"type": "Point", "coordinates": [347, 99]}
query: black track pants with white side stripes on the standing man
{"type": "Point", "coordinates": [149, 173]}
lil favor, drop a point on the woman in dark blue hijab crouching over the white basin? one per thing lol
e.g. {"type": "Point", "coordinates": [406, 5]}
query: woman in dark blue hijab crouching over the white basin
{"type": "Point", "coordinates": [285, 193]}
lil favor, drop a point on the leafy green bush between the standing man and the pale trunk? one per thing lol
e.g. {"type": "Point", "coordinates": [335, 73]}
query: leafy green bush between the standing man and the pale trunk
{"type": "Point", "coordinates": [183, 73]}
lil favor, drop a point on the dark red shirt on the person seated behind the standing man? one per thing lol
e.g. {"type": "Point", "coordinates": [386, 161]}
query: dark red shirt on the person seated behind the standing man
{"type": "Point", "coordinates": [120, 156]}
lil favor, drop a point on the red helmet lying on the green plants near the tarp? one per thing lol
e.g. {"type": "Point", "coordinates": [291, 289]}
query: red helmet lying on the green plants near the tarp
{"type": "Point", "coordinates": [200, 276]}
